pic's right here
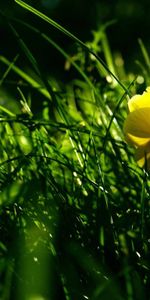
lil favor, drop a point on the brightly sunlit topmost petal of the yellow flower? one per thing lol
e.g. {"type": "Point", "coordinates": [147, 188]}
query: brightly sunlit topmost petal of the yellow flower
{"type": "Point", "coordinates": [140, 101]}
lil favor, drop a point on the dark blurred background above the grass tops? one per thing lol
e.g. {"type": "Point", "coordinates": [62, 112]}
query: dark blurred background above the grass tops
{"type": "Point", "coordinates": [80, 17]}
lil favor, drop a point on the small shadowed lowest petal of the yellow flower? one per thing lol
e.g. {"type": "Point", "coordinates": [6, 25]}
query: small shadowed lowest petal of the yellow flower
{"type": "Point", "coordinates": [143, 155]}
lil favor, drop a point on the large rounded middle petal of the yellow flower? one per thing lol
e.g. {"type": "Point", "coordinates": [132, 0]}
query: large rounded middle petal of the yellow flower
{"type": "Point", "coordinates": [137, 126]}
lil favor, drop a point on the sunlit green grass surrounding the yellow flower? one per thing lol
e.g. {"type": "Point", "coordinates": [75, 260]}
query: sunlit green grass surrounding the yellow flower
{"type": "Point", "coordinates": [74, 206]}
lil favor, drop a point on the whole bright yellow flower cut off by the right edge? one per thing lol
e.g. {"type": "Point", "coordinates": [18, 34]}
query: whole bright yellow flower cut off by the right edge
{"type": "Point", "coordinates": [137, 126]}
